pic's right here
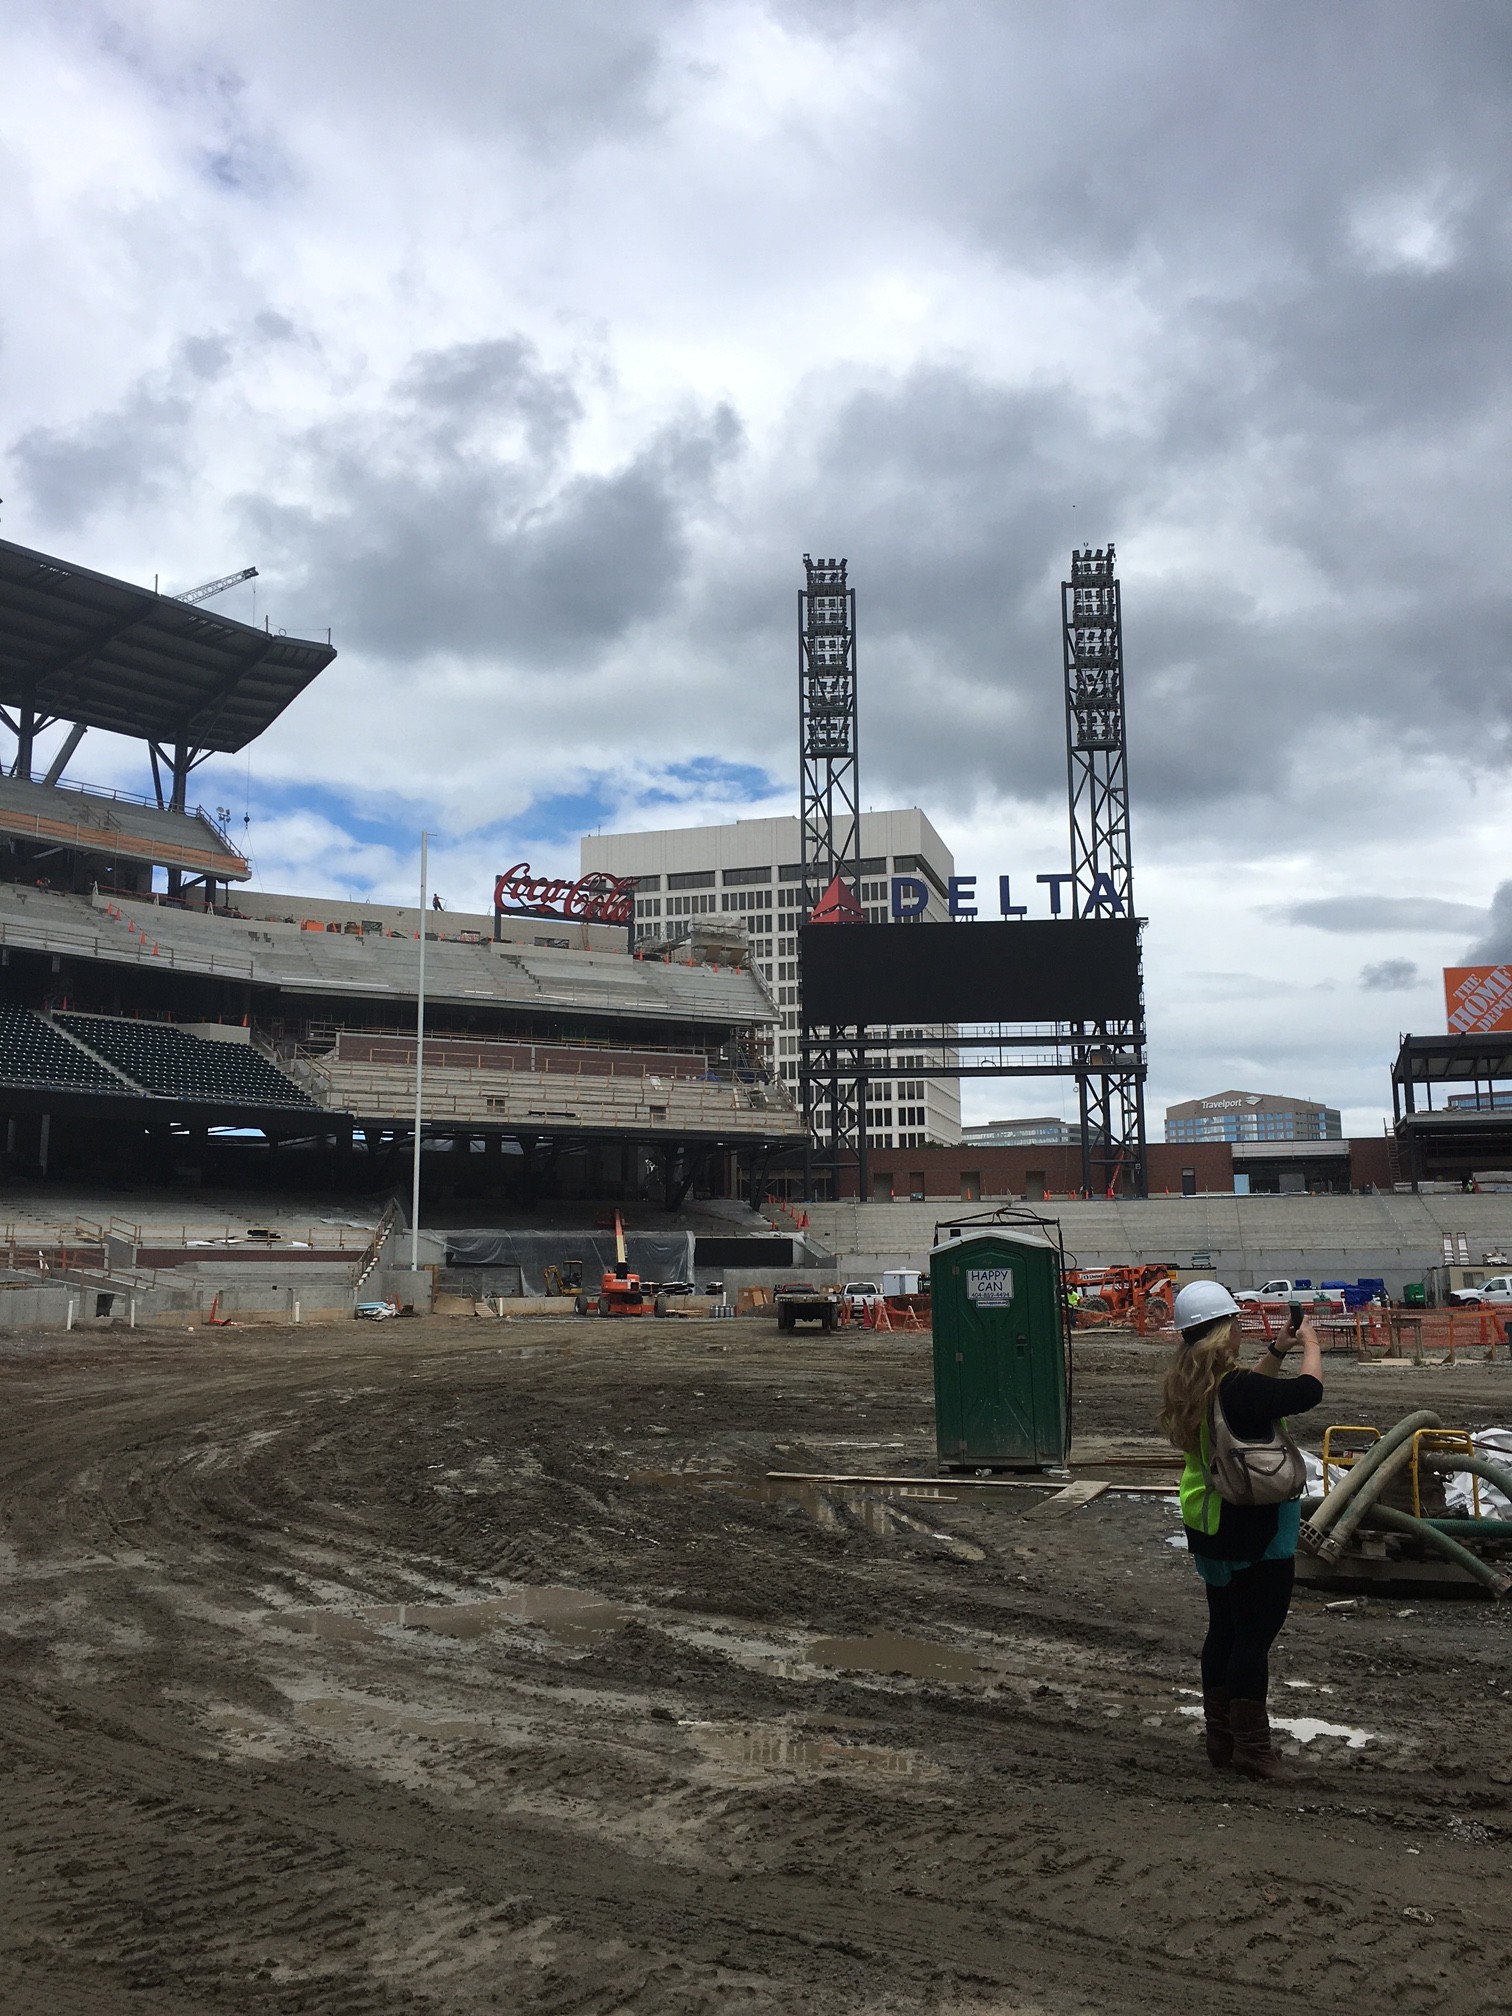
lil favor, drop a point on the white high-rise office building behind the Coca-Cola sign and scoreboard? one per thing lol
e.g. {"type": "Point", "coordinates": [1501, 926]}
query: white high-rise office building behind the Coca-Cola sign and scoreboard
{"type": "Point", "coordinates": [751, 874]}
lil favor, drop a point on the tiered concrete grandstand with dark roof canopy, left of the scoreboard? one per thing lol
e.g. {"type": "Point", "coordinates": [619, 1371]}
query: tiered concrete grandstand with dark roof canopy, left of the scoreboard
{"type": "Point", "coordinates": [162, 1021]}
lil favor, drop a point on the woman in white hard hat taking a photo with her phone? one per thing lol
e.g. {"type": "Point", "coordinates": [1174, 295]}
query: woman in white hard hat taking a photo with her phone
{"type": "Point", "coordinates": [1241, 1521]}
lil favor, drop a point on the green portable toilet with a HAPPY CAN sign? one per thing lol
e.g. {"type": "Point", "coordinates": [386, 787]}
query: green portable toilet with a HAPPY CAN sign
{"type": "Point", "coordinates": [1003, 1350]}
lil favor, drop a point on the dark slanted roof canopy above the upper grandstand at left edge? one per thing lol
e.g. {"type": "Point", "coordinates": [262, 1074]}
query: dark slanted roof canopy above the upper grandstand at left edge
{"type": "Point", "coordinates": [84, 648]}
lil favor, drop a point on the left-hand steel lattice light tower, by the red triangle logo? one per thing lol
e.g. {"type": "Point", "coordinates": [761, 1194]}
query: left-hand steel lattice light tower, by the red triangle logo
{"type": "Point", "coordinates": [830, 815]}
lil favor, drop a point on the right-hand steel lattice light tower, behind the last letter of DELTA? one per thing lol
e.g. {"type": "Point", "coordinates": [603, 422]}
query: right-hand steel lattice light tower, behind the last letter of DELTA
{"type": "Point", "coordinates": [1110, 1057]}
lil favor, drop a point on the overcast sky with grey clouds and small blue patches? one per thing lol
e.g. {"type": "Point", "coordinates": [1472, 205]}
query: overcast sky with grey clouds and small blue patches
{"type": "Point", "coordinates": [529, 348]}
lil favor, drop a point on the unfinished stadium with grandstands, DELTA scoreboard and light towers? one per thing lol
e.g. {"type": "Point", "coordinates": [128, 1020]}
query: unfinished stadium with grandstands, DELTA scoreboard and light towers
{"type": "Point", "coordinates": [162, 1023]}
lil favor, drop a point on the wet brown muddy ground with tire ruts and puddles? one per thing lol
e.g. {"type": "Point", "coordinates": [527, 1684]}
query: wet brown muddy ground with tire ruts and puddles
{"type": "Point", "coordinates": [477, 1668]}
